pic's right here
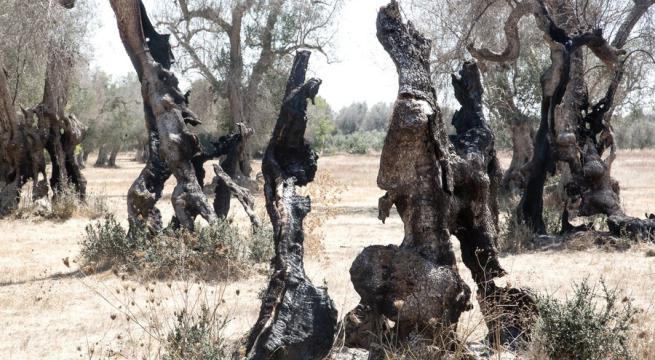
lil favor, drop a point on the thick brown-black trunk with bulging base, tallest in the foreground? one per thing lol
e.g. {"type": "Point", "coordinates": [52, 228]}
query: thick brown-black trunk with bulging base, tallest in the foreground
{"type": "Point", "coordinates": [417, 284]}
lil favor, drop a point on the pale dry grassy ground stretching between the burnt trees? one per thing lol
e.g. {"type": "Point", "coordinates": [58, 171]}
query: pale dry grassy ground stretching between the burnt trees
{"type": "Point", "coordinates": [46, 313]}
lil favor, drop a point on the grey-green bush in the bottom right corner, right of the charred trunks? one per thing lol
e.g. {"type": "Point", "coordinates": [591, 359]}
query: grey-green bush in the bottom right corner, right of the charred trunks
{"type": "Point", "coordinates": [593, 324]}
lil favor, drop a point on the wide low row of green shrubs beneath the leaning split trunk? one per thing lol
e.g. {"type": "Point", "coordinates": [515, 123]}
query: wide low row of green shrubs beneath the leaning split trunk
{"type": "Point", "coordinates": [218, 250]}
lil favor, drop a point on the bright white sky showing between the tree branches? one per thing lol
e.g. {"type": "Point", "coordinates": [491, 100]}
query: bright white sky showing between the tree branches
{"type": "Point", "coordinates": [360, 71]}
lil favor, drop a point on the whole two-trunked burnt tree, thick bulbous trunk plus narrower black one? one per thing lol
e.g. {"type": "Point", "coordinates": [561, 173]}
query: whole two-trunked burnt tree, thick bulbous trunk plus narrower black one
{"type": "Point", "coordinates": [439, 185]}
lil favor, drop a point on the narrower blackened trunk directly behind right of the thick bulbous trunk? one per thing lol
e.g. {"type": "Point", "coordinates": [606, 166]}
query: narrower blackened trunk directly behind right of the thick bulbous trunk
{"type": "Point", "coordinates": [509, 312]}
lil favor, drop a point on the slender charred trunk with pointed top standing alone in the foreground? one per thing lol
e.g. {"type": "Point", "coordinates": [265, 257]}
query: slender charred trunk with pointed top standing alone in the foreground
{"type": "Point", "coordinates": [297, 320]}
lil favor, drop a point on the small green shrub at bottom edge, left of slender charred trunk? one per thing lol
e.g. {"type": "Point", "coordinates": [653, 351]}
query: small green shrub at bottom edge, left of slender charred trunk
{"type": "Point", "coordinates": [197, 337]}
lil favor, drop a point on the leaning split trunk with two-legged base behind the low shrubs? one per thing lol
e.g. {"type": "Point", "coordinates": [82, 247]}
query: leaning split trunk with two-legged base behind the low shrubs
{"type": "Point", "coordinates": [172, 146]}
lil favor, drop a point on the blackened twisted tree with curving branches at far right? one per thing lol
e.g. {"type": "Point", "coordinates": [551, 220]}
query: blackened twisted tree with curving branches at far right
{"type": "Point", "coordinates": [573, 130]}
